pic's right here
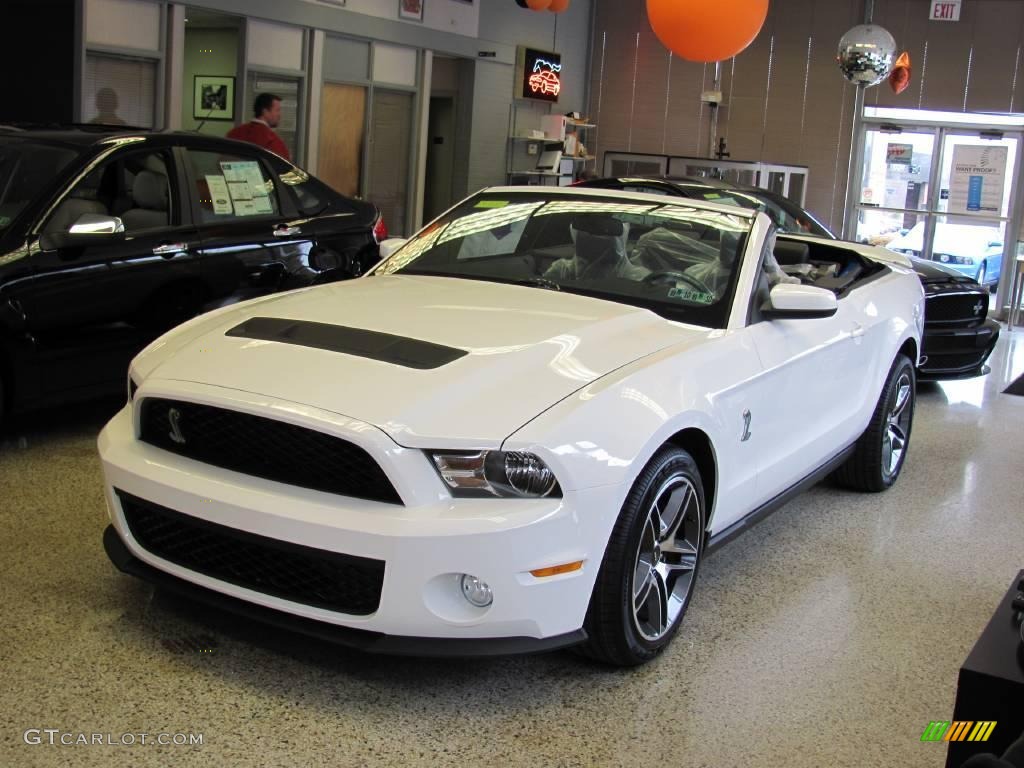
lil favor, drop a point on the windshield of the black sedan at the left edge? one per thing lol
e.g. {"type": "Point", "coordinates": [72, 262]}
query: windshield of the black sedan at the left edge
{"type": "Point", "coordinates": [27, 168]}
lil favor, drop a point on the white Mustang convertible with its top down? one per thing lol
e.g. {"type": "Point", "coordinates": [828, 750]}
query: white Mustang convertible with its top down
{"type": "Point", "coordinates": [524, 431]}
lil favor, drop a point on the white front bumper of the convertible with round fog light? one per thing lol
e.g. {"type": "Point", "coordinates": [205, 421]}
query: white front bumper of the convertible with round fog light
{"type": "Point", "coordinates": [424, 545]}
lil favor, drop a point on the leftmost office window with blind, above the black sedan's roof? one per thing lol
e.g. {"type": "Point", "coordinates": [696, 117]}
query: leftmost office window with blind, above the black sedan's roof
{"type": "Point", "coordinates": [119, 91]}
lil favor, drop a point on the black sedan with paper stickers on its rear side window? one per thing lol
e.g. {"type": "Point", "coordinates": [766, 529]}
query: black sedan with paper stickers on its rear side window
{"type": "Point", "coordinates": [110, 237]}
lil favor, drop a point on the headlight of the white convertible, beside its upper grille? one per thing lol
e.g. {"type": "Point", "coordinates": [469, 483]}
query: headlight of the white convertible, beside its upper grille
{"type": "Point", "coordinates": [516, 475]}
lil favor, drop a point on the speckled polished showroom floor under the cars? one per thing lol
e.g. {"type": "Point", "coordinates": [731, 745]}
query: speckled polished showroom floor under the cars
{"type": "Point", "coordinates": [829, 636]}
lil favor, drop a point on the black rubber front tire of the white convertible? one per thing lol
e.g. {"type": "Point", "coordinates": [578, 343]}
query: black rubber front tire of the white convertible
{"type": "Point", "coordinates": [614, 622]}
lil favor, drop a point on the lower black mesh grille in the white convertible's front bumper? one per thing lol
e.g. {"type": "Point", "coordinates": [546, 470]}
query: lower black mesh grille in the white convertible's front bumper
{"type": "Point", "coordinates": [303, 575]}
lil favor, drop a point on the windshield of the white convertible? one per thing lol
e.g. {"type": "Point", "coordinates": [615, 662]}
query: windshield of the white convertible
{"type": "Point", "coordinates": [680, 262]}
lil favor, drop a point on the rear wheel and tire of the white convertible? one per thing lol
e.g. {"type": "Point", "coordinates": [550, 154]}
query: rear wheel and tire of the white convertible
{"type": "Point", "coordinates": [873, 467]}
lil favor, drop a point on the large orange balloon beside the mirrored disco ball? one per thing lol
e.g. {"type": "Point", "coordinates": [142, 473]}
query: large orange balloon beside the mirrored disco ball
{"type": "Point", "coordinates": [707, 30]}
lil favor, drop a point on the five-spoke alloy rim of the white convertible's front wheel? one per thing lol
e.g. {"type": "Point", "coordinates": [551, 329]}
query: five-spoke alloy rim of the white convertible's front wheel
{"type": "Point", "coordinates": [667, 558]}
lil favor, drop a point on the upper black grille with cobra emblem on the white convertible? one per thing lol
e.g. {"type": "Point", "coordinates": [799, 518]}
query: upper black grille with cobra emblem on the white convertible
{"type": "Point", "coordinates": [265, 448]}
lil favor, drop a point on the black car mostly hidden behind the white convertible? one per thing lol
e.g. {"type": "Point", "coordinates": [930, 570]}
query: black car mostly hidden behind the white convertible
{"type": "Point", "coordinates": [959, 335]}
